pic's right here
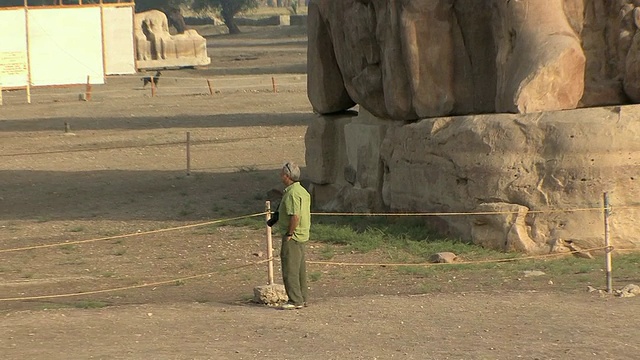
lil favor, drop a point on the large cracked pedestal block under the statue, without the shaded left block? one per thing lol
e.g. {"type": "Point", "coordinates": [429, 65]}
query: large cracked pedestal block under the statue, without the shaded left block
{"type": "Point", "coordinates": [543, 162]}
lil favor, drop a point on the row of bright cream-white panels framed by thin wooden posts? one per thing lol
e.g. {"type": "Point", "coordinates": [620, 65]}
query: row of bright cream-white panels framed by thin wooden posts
{"type": "Point", "coordinates": [64, 45]}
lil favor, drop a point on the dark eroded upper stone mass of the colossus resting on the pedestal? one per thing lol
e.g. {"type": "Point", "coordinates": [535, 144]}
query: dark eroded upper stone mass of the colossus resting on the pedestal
{"type": "Point", "coordinates": [411, 59]}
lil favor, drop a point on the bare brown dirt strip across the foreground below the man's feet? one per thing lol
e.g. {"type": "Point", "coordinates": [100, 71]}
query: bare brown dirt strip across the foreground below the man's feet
{"type": "Point", "coordinates": [446, 326]}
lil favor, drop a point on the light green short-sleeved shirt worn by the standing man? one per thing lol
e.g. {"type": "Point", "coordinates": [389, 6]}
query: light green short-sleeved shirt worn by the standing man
{"type": "Point", "coordinates": [296, 201]}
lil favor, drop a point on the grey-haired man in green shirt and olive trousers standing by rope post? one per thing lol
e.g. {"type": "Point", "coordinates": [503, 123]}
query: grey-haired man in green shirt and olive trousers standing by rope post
{"type": "Point", "coordinates": [295, 212]}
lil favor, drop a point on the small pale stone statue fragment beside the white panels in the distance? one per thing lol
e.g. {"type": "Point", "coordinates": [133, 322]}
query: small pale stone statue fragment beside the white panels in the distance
{"type": "Point", "coordinates": [156, 48]}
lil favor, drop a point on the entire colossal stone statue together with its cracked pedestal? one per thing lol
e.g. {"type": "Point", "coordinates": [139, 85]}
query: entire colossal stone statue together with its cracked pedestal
{"type": "Point", "coordinates": [522, 109]}
